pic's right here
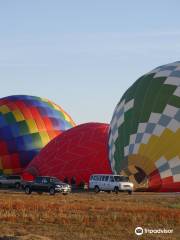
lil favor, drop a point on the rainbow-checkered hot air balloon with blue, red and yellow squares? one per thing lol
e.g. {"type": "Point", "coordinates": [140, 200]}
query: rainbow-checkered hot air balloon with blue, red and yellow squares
{"type": "Point", "coordinates": [27, 124]}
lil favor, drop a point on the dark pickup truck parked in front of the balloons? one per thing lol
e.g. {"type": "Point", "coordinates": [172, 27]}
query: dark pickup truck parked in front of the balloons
{"type": "Point", "coordinates": [48, 184]}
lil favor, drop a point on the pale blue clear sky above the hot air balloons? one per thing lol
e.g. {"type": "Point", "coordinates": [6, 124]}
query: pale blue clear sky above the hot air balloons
{"type": "Point", "coordinates": [84, 54]}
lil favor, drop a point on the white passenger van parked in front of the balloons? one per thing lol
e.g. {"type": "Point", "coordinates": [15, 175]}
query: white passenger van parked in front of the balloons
{"type": "Point", "coordinates": [110, 182]}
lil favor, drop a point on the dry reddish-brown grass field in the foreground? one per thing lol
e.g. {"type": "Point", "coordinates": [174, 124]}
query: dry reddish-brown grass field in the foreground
{"type": "Point", "coordinates": [88, 216]}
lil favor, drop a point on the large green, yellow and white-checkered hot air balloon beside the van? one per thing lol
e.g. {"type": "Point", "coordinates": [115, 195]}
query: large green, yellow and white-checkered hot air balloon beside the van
{"type": "Point", "coordinates": [144, 137]}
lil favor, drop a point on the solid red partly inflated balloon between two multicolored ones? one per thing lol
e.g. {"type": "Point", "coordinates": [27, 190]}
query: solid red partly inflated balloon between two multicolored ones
{"type": "Point", "coordinates": [76, 153]}
